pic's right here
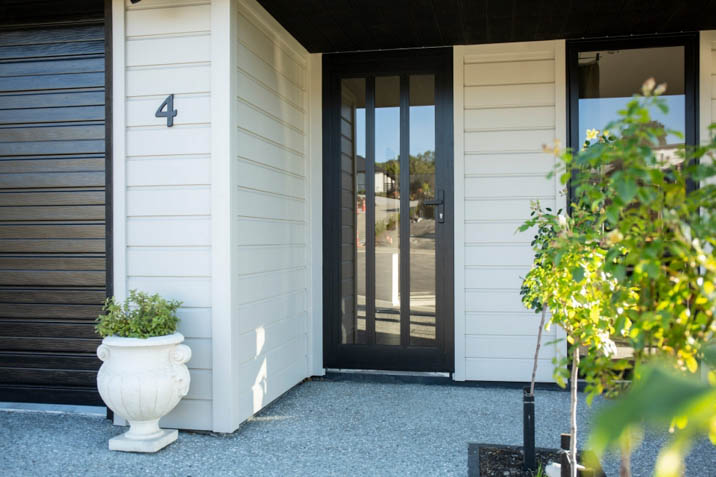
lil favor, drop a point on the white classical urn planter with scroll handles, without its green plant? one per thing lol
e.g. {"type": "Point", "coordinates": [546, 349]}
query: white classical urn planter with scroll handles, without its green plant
{"type": "Point", "coordinates": [142, 380]}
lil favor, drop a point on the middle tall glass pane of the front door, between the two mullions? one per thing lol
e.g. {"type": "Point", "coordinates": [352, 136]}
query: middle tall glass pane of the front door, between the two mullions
{"type": "Point", "coordinates": [387, 210]}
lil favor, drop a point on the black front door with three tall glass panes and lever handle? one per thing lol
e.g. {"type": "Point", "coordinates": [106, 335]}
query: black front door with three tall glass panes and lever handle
{"type": "Point", "coordinates": [388, 222]}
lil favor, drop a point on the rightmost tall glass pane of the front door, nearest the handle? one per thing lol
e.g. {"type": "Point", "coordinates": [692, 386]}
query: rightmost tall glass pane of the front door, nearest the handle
{"type": "Point", "coordinates": [422, 217]}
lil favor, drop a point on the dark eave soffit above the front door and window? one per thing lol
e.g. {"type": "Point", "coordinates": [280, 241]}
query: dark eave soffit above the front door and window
{"type": "Point", "coordinates": [325, 26]}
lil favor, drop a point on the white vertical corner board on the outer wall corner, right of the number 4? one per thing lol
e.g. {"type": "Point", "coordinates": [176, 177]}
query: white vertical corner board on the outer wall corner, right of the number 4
{"type": "Point", "coordinates": [224, 369]}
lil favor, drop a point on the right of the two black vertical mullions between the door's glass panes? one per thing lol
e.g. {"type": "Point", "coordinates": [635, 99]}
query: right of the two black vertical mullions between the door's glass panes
{"type": "Point", "coordinates": [404, 210]}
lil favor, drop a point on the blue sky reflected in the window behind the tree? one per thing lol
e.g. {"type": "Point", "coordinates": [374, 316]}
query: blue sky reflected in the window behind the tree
{"type": "Point", "coordinates": [597, 112]}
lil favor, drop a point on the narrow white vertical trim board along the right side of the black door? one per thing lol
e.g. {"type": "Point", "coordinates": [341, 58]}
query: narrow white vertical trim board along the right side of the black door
{"type": "Point", "coordinates": [459, 213]}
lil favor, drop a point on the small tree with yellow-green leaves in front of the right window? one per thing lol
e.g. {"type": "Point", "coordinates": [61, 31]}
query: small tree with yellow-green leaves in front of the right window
{"type": "Point", "coordinates": [635, 257]}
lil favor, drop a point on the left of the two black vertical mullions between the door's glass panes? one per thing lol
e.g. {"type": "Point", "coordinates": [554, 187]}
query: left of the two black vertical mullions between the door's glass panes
{"type": "Point", "coordinates": [370, 210]}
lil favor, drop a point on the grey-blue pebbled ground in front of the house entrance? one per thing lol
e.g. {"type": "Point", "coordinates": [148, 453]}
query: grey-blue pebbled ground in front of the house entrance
{"type": "Point", "coordinates": [319, 428]}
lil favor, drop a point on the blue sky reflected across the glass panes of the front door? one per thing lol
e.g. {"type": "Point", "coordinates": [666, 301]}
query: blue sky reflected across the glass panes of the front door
{"type": "Point", "coordinates": [387, 143]}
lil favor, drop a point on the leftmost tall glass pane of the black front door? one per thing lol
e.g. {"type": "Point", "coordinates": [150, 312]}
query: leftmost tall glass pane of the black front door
{"type": "Point", "coordinates": [353, 227]}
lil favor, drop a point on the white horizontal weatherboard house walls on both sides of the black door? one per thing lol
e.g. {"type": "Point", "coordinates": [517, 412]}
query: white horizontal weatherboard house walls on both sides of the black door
{"type": "Point", "coordinates": [222, 211]}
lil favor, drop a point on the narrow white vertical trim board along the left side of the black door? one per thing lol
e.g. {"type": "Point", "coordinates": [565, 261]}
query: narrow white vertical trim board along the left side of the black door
{"type": "Point", "coordinates": [315, 195]}
